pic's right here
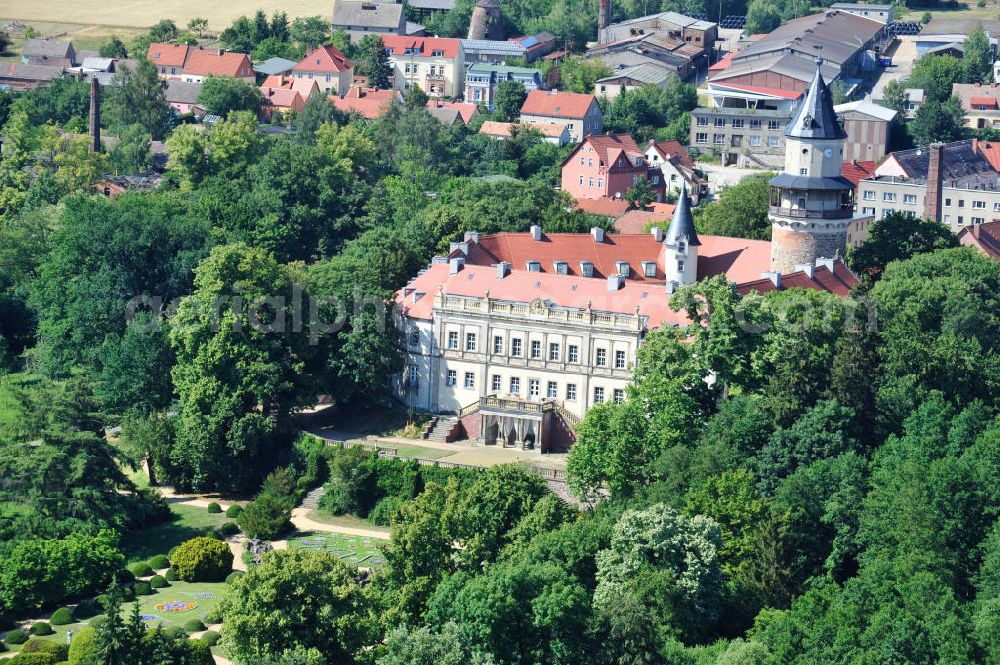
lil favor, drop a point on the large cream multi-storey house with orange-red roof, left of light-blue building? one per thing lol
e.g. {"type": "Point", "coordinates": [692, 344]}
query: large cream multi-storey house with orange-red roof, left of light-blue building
{"type": "Point", "coordinates": [436, 65]}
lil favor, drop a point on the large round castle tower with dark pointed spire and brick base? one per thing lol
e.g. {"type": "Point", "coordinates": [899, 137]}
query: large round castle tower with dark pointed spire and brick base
{"type": "Point", "coordinates": [812, 204]}
